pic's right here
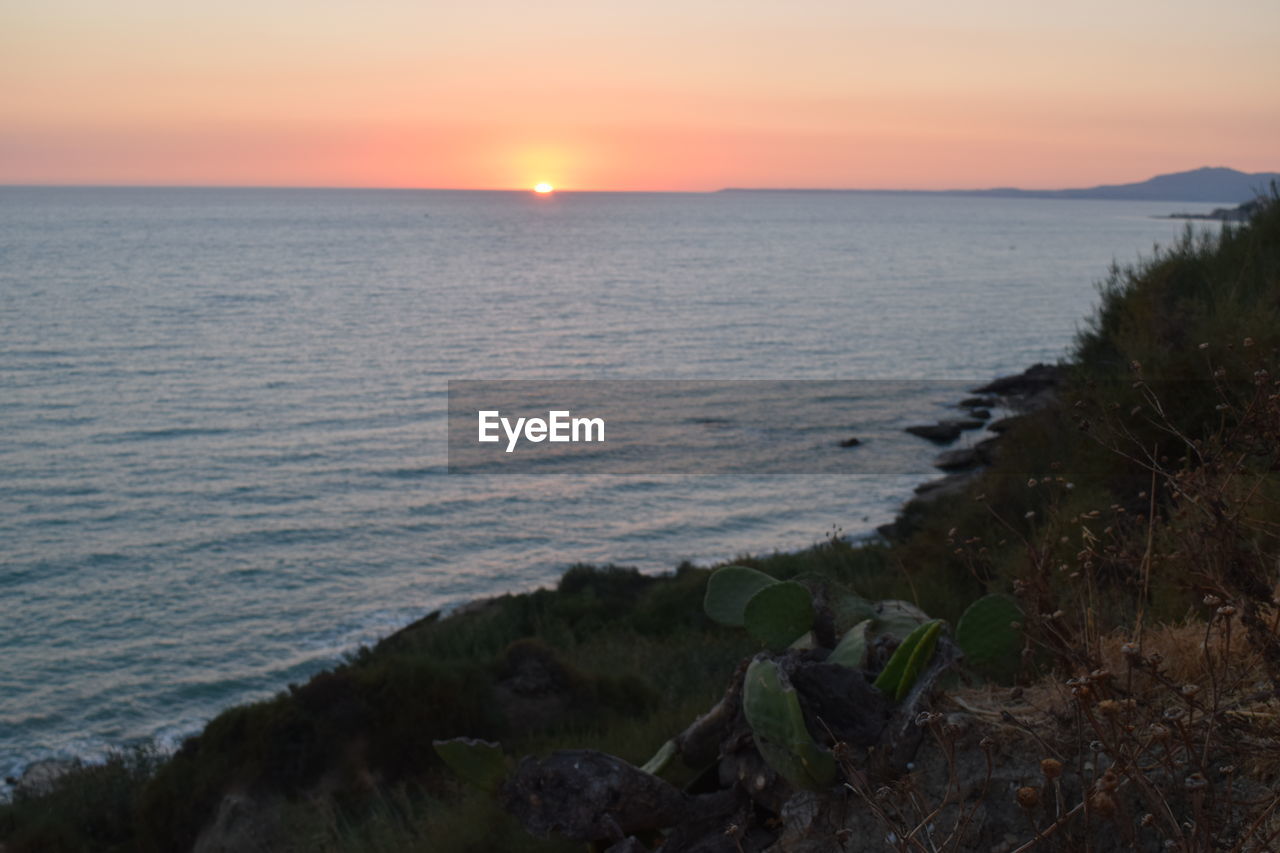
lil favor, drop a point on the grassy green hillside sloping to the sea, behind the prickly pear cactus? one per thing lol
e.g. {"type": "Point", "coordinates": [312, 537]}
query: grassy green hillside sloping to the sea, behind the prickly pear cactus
{"type": "Point", "coordinates": [1145, 496]}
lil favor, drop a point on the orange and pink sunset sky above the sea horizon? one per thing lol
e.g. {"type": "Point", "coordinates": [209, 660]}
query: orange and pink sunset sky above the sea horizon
{"type": "Point", "coordinates": [666, 95]}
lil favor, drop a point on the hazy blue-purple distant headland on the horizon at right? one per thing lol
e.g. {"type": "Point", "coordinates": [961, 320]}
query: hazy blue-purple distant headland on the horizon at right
{"type": "Point", "coordinates": [1208, 184]}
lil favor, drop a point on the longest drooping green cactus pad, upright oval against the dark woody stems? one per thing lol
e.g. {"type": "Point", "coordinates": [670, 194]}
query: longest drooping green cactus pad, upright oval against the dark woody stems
{"type": "Point", "coordinates": [772, 709]}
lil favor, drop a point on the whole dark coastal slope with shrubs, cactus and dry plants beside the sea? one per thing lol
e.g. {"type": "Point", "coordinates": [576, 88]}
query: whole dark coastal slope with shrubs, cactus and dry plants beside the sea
{"type": "Point", "coordinates": [611, 665]}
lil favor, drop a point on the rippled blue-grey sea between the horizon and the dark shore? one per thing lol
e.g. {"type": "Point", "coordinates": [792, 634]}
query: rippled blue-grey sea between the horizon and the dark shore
{"type": "Point", "coordinates": [223, 412]}
